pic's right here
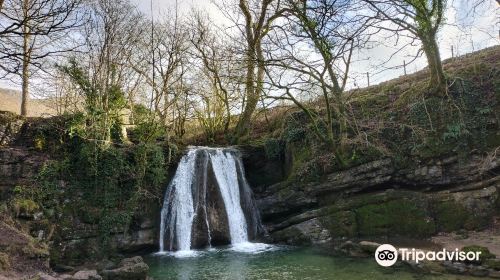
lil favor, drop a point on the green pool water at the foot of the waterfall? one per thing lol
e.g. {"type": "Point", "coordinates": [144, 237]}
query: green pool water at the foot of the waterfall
{"type": "Point", "coordinates": [279, 263]}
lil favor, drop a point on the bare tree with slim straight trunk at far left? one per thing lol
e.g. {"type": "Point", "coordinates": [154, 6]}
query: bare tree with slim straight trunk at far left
{"type": "Point", "coordinates": [31, 31]}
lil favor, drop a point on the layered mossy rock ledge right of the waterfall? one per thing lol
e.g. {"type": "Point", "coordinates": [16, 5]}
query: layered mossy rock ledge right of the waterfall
{"type": "Point", "coordinates": [382, 200]}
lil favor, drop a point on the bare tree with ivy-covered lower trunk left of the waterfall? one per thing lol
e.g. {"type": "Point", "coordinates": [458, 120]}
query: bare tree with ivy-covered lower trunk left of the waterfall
{"type": "Point", "coordinates": [100, 72]}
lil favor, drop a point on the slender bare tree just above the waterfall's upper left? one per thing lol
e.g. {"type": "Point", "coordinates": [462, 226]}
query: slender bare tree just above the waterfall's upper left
{"type": "Point", "coordinates": [162, 62]}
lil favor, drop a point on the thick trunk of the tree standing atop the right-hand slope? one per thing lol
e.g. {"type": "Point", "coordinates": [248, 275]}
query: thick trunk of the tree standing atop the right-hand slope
{"type": "Point", "coordinates": [437, 83]}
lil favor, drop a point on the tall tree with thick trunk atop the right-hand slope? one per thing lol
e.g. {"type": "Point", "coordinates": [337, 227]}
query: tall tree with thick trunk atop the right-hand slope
{"type": "Point", "coordinates": [422, 19]}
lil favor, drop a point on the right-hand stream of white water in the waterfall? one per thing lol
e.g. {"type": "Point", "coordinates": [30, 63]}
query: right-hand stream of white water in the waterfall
{"type": "Point", "coordinates": [224, 166]}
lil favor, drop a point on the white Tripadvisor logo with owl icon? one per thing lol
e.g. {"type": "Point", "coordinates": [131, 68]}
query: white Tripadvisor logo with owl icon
{"type": "Point", "coordinates": [387, 255]}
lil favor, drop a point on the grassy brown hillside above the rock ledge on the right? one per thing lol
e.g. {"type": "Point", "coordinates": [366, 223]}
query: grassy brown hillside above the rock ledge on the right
{"type": "Point", "coordinates": [396, 119]}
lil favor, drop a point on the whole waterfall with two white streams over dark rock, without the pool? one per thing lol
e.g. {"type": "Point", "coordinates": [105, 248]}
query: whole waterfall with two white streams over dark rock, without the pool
{"type": "Point", "coordinates": [208, 201]}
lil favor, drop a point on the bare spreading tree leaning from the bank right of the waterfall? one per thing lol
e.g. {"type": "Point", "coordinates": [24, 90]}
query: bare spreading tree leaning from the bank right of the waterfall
{"type": "Point", "coordinates": [311, 56]}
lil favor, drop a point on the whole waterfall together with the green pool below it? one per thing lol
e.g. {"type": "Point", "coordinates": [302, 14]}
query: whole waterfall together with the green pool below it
{"type": "Point", "coordinates": [209, 202]}
